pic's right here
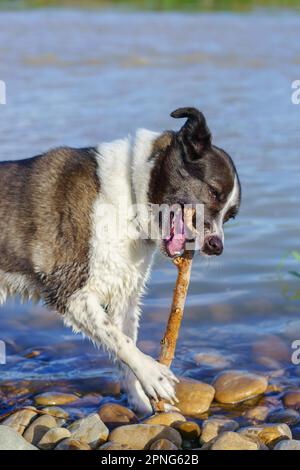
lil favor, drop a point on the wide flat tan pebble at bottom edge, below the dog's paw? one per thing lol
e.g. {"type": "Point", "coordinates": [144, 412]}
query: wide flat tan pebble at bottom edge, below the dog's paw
{"type": "Point", "coordinates": [141, 436]}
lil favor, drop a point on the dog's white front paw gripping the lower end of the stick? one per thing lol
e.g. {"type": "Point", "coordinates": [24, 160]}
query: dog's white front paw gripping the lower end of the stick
{"type": "Point", "coordinates": [157, 380]}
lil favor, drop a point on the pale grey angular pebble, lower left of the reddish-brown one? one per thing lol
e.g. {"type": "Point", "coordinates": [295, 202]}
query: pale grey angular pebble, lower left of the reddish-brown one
{"type": "Point", "coordinates": [90, 430]}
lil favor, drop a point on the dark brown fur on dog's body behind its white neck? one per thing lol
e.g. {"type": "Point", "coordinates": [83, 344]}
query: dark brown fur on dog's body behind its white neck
{"type": "Point", "coordinates": [45, 225]}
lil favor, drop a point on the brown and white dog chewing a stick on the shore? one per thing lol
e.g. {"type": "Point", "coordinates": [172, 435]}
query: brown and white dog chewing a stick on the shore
{"type": "Point", "coordinates": [52, 245]}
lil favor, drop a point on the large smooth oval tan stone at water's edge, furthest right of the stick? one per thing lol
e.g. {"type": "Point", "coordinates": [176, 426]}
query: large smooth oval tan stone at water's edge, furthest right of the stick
{"type": "Point", "coordinates": [237, 386]}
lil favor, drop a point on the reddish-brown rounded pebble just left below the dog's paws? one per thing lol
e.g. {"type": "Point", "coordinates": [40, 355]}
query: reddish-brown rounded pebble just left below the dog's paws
{"type": "Point", "coordinates": [114, 415]}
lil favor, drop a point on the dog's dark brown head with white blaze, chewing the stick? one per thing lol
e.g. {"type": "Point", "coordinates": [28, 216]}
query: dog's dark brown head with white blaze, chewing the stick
{"type": "Point", "coordinates": [190, 170]}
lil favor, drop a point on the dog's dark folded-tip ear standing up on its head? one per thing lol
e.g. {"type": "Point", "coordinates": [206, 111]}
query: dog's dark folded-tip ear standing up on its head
{"type": "Point", "coordinates": [195, 134]}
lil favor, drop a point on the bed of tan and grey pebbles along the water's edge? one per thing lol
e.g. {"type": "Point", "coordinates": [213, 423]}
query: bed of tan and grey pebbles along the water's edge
{"type": "Point", "coordinates": [201, 422]}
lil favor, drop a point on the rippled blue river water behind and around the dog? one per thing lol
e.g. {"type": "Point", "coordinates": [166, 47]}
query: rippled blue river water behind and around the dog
{"type": "Point", "coordinates": [76, 78]}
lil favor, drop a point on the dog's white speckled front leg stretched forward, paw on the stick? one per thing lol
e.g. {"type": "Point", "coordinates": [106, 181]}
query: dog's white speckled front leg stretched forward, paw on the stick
{"type": "Point", "coordinates": [86, 315]}
